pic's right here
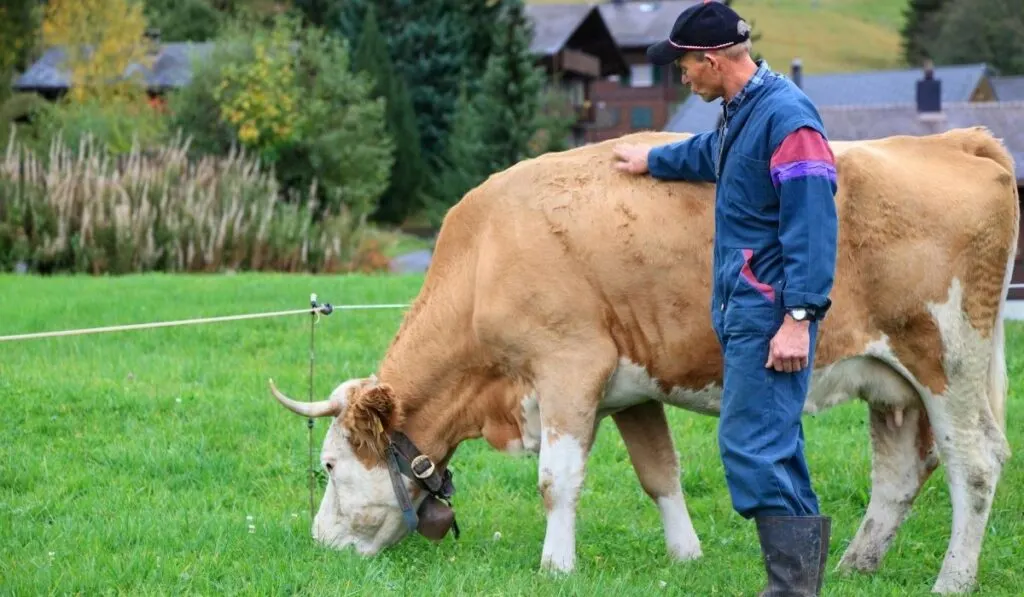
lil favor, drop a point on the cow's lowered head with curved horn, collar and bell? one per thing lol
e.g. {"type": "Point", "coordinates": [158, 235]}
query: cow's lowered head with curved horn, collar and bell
{"type": "Point", "coordinates": [379, 487]}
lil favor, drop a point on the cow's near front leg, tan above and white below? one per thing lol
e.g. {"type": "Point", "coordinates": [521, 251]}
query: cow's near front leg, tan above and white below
{"type": "Point", "coordinates": [569, 388]}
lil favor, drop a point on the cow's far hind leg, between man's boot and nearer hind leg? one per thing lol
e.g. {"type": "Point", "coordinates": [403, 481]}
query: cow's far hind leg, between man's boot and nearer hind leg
{"type": "Point", "coordinates": [904, 456]}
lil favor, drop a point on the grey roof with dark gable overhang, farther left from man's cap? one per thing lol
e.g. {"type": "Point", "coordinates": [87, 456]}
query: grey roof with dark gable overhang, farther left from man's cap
{"type": "Point", "coordinates": [579, 27]}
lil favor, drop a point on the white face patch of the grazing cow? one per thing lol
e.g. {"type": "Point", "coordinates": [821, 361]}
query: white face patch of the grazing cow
{"type": "Point", "coordinates": [359, 508]}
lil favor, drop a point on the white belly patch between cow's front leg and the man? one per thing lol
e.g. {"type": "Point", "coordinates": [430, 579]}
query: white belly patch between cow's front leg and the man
{"type": "Point", "coordinates": [631, 385]}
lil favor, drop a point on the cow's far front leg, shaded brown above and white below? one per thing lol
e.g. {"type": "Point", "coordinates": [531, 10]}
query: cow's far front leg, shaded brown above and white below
{"type": "Point", "coordinates": [649, 441]}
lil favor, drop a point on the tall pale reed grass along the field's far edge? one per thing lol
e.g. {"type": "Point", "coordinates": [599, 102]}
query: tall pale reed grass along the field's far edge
{"type": "Point", "coordinates": [81, 210]}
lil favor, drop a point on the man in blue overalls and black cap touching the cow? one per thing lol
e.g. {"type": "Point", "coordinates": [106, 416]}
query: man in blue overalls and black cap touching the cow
{"type": "Point", "coordinates": [775, 257]}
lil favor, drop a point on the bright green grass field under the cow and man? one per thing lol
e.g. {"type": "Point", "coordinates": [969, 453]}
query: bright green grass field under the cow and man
{"type": "Point", "coordinates": [156, 462]}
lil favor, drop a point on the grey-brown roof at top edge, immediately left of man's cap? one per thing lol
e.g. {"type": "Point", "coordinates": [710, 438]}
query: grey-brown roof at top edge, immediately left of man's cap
{"type": "Point", "coordinates": [637, 25]}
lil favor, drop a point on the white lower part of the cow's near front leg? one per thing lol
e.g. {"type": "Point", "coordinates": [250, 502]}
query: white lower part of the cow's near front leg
{"type": "Point", "coordinates": [562, 473]}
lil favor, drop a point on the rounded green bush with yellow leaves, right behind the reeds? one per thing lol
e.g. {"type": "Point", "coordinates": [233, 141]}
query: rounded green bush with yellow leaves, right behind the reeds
{"type": "Point", "coordinates": [335, 134]}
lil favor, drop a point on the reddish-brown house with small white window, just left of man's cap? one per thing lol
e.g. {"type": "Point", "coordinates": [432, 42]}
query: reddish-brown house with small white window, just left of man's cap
{"type": "Point", "coordinates": [647, 97]}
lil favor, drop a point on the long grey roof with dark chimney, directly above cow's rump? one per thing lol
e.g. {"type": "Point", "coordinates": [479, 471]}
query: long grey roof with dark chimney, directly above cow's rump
{"type": "Point", "coordinates": [1005, 119]}
